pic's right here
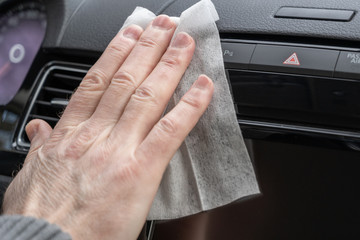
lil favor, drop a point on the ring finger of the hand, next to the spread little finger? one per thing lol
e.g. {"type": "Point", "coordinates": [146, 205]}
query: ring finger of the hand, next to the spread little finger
{"type": "Point", "coordinates": [148, 102]}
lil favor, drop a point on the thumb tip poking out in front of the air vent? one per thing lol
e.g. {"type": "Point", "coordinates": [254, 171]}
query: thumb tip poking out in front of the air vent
{"type": "Point", "coordinates": [38, 131]}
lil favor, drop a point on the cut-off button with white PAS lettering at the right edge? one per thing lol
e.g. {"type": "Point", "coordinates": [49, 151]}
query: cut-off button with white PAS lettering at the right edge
{"type": "Point", "coordinates": [348, 65]}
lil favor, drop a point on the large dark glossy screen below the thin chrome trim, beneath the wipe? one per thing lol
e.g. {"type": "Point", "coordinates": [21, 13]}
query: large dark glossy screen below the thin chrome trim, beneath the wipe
{"type": "Point", "coordinates": [307, 193]}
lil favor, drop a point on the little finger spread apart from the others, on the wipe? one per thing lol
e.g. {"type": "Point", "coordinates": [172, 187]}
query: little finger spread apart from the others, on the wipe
{"type": "Point", "coordinates": [167, 135]}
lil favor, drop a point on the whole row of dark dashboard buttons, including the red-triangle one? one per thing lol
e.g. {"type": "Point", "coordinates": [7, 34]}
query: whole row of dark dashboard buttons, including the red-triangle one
{"type": "Point", "coordinates": [291, 59]}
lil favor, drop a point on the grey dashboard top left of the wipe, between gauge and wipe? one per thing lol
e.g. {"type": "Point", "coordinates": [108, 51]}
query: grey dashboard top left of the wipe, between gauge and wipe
{"type": "Point", "coordinates": [89, 25]}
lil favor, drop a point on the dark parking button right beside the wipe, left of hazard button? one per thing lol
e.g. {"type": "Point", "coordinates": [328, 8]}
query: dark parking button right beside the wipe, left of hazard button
{"type": "Point", "coordinates": [237, 55]}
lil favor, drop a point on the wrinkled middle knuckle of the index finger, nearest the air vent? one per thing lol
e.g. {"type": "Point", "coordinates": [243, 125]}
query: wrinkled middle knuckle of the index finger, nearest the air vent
{"type": "Point", "coordinates": [95, 79]}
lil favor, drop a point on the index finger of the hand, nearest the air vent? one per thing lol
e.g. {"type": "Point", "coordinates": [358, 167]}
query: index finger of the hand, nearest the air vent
{"type": "Point", "coordinates": [85, 100]}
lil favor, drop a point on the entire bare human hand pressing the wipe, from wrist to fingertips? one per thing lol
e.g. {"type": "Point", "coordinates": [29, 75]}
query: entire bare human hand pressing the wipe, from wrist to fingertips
{"type": "Point", "coordinates": [96, 174]}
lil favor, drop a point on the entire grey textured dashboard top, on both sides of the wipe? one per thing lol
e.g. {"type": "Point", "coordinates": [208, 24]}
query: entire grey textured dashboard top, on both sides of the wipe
{"type": "Point", "coordinates": [90, 25]}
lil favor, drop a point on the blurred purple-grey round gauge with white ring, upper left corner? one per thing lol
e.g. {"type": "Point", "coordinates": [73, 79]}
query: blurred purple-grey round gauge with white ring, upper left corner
{"type": "Point", "coordinates": [22, 30]}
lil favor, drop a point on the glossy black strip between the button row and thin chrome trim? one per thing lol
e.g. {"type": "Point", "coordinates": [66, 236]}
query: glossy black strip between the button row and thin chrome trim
{"type": "Point", "coordinates": [302, 100]}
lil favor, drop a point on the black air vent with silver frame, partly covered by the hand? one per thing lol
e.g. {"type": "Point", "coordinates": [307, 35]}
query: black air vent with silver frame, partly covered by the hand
{"type": "Point", "coordinates": [57, 83]}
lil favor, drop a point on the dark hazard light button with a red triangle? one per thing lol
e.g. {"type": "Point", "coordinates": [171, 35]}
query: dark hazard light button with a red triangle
{"type": "Point", "coordinates": [309, 61]}
